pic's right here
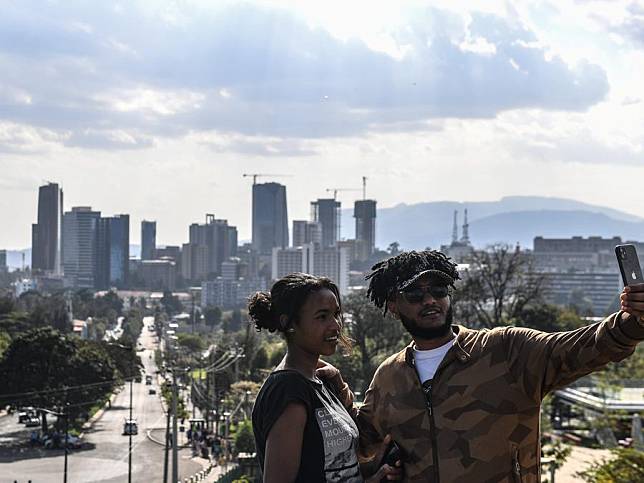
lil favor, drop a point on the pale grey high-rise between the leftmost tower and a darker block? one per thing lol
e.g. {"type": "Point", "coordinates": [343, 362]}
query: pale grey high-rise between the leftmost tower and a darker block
{"type": "Point", "coordinates": [80, 231]}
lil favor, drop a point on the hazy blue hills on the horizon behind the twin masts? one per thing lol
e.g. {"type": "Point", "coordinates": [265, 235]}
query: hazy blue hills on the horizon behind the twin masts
{"type": "Point", "coordinates": [511, 219]}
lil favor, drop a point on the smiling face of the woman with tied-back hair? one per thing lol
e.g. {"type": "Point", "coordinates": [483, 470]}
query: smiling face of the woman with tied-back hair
{"type": "Point", "coordinates": [319, 325]}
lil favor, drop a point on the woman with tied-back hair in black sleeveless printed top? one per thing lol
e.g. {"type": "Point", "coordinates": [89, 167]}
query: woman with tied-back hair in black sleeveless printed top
{"type": "Point", "coordinates": [302, 431]}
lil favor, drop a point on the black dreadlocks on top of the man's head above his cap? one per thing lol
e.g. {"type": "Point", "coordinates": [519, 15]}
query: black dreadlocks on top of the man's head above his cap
{"type": "Point", "coordinates": [388, 275]}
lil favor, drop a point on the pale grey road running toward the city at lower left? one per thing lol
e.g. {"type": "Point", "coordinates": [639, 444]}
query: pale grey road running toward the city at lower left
{"type": "Point", "coordinates": [104, 456]}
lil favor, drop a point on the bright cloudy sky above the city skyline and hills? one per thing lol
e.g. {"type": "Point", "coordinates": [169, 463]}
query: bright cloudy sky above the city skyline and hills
{"type": "Point", "coordinates": [157, 109]}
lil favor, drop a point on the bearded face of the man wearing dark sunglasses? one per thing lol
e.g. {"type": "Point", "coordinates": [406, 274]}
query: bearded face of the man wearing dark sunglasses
{"type": "Point", "coordinates": [424, 308]}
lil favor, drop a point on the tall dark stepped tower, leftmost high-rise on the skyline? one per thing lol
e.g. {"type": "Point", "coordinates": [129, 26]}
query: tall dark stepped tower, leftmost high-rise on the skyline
{"type": "Point", "coordinates": [46, 233]}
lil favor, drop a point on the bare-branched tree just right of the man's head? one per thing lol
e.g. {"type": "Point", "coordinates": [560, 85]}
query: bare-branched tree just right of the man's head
{"type": "Point", "coordinates": [500, 283]}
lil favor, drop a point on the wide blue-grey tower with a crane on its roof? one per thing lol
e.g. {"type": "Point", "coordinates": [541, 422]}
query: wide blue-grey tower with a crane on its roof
{"type": "Point", "coordinates": [270, 217]}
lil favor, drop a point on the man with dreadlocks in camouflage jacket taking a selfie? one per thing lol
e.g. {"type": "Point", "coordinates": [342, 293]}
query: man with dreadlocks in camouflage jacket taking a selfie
{"type": "Point", "coordinates": [462, 404]}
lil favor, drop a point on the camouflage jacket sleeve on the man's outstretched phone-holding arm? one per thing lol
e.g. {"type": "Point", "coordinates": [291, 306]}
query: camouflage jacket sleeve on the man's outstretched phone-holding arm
{"type": "Point", "coordinates": [542, 362]}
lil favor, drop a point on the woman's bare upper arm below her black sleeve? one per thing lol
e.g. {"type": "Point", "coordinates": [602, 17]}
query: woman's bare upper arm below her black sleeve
{"type": "Point", "coordinates": [284, 445]}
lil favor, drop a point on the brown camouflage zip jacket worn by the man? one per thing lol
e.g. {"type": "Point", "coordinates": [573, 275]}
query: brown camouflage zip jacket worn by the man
{"type": "Point", "coordinates": [482, 424]}
